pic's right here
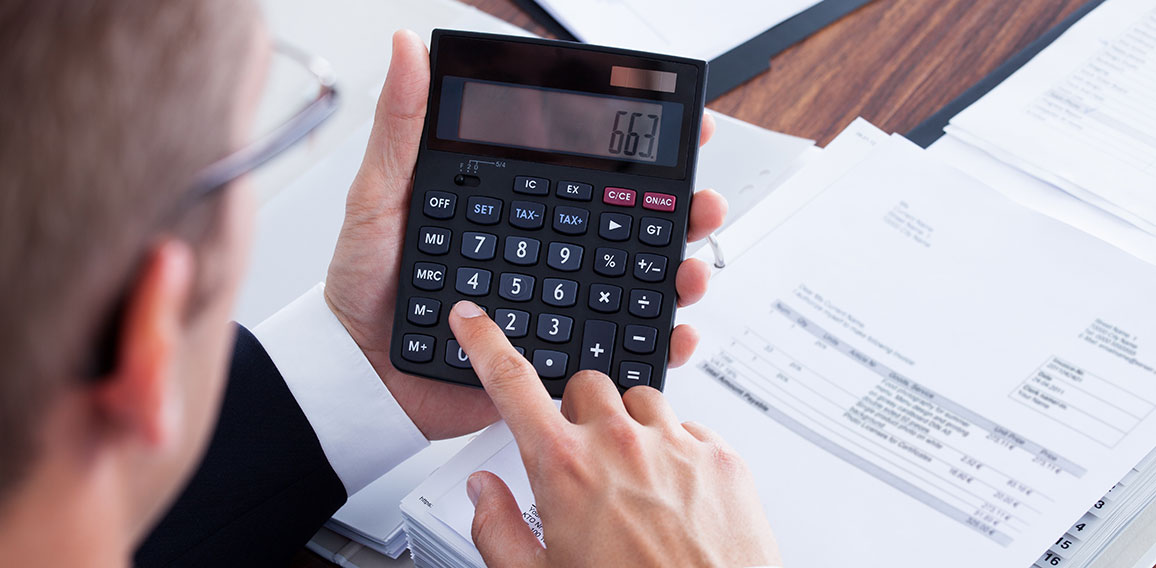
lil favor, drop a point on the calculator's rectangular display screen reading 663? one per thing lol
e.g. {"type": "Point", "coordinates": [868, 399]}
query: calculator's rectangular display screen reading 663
{"type": "Point", "coordinates": [561, 121]}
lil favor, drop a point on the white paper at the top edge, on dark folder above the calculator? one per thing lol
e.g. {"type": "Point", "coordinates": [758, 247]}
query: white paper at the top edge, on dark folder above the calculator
{"type": "Point", "coordinates": [687, 28]}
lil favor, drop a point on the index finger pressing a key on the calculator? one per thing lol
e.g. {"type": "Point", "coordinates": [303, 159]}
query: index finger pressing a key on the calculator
{"type": "Point", "coordinates": [510, 380]}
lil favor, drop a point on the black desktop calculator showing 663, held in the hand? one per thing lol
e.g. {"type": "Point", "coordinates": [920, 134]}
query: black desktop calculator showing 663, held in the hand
{"type": "Point", "coordinates": [553, 188]}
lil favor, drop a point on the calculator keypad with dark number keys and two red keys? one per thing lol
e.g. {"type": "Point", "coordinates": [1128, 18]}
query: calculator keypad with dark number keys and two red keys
{"type": "Point", "coordinates": [568, 296]}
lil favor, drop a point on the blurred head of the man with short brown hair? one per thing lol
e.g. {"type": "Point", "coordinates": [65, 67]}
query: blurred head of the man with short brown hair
{"type": "Point", "coordinates": [109, 110]}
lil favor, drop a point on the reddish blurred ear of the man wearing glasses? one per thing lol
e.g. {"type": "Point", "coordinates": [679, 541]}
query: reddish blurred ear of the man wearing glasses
{"type": "Point", "coordinates": [137, 397]}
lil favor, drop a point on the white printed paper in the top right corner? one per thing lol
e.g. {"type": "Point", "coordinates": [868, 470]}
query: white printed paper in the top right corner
{"type": "Point", "coordinates": [1080, 115]}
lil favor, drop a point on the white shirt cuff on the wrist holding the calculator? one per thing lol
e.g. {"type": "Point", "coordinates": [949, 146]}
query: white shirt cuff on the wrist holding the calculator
{"type": "Point", "coordinates": [364, 431]}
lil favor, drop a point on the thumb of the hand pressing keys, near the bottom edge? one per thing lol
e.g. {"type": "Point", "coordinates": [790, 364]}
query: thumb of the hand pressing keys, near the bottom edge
{"type": "Point", "coordinates": [499, 530]}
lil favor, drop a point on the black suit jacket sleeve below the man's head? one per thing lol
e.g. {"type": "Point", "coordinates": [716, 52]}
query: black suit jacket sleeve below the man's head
{"type": "Point", "coordinates": [263, 489]}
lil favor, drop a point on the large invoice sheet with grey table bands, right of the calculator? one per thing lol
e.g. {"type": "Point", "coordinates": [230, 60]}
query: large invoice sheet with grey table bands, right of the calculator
{"type": "Point", "coordinates": [922, 372]}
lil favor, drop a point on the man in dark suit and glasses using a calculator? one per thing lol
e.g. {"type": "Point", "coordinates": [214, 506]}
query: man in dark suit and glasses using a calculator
{"type": "Point", "coordinates": [116, 334]}
